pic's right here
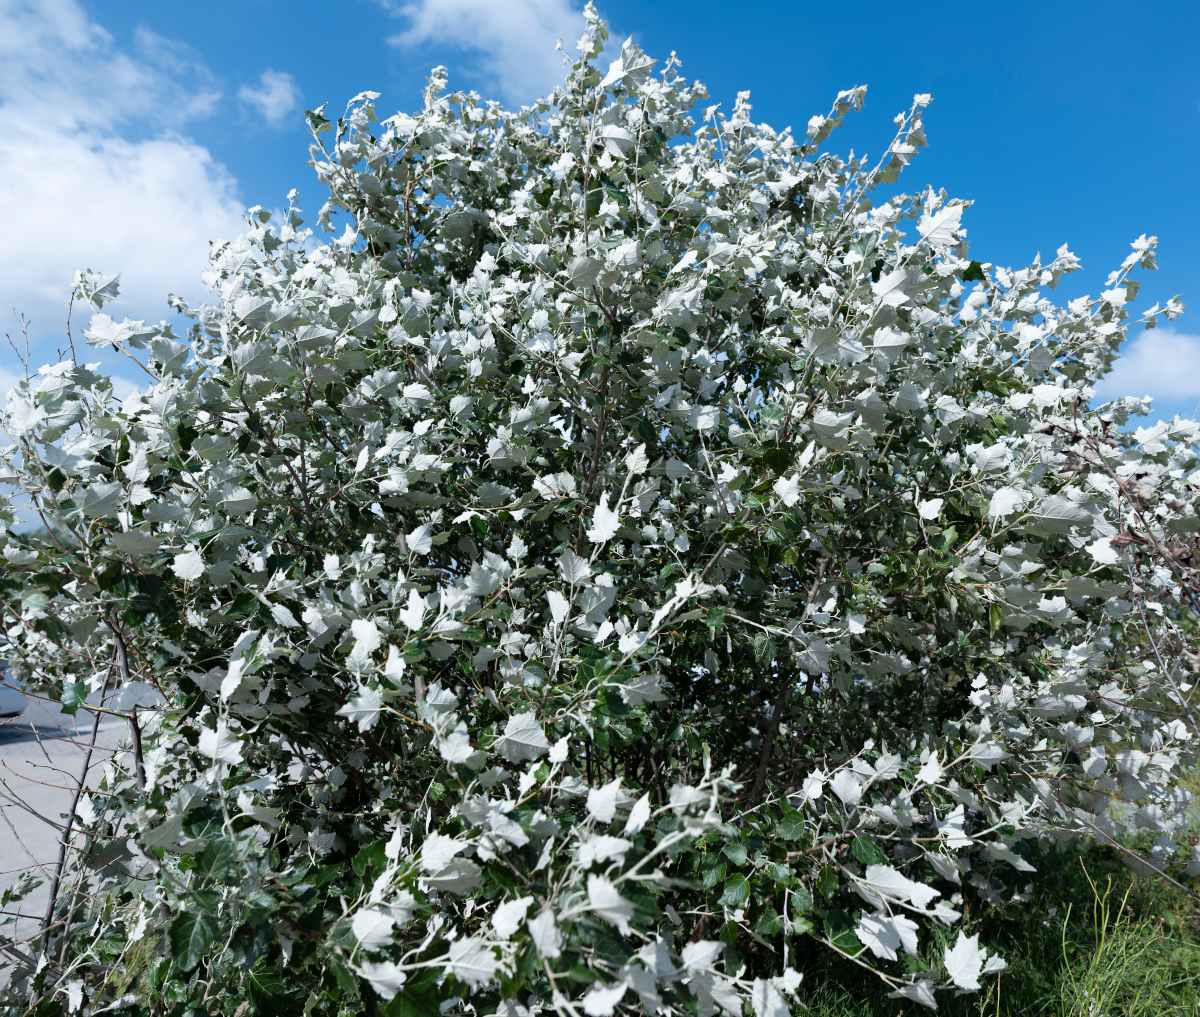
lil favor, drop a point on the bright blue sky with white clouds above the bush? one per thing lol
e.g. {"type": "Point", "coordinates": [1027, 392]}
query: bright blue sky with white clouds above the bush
{"type": "Point", "coordinates": [136, 133]}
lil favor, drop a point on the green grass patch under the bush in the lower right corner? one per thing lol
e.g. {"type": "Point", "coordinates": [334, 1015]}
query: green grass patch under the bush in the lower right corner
{"type": "Point", "coordinates": [1101, 943]}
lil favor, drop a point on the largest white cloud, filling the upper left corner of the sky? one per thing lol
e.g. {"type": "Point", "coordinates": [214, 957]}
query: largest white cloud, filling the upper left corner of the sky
{"type": "Point", "coordinates": [97, 173]}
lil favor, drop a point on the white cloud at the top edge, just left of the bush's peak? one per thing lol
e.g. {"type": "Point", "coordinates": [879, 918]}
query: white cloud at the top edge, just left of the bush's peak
{"type": "Point", "coordinates": [515, 38]}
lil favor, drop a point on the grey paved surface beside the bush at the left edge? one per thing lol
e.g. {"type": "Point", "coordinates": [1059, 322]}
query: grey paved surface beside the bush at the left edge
{"type": "Point", "coordinates": [41, 756]}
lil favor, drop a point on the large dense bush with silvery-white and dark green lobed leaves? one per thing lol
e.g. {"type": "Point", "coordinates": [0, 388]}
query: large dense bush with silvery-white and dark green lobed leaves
{"type": "Point", "coordinates": [640, 555]}
